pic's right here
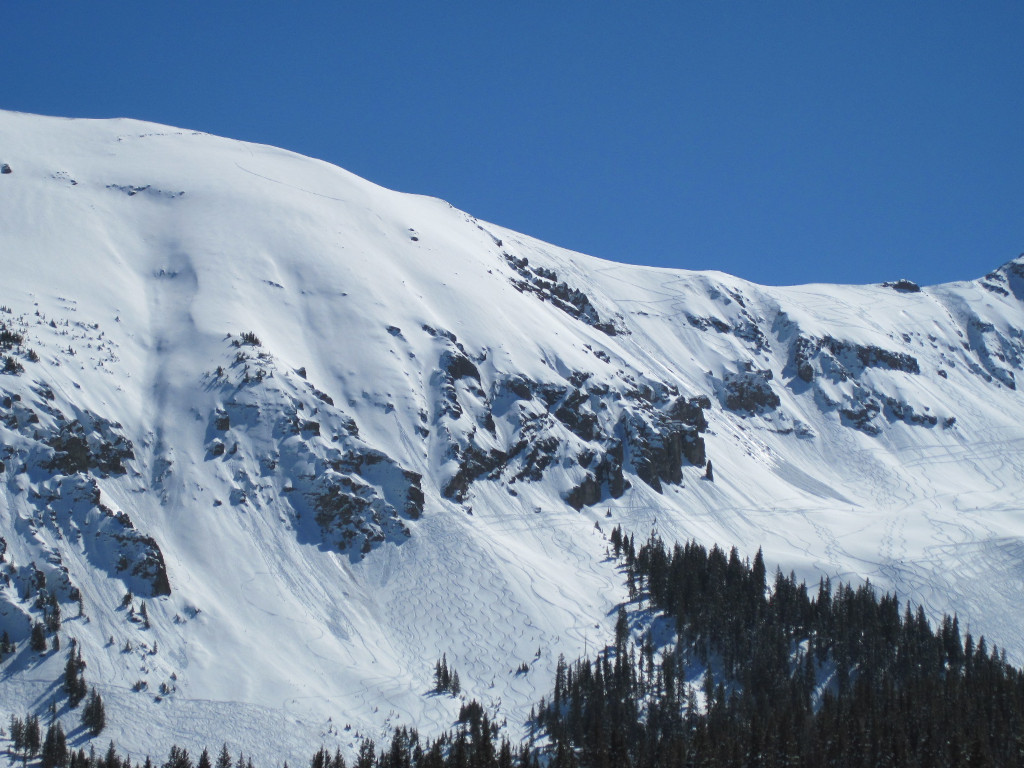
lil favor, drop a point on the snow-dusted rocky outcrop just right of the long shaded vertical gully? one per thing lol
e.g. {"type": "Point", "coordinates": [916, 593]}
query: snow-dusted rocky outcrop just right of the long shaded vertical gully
{"type": "Point", "coordinates": [294, 450]}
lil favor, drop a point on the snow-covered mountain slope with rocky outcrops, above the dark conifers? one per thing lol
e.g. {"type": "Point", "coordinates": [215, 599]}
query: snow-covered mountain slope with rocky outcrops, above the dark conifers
{"type": "Point", "coordinates": [330, 433]}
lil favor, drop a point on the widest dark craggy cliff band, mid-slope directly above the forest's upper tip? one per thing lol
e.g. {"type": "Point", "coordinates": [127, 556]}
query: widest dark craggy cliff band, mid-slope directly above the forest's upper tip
{"type": "Point", "coordinates": [608, 433]}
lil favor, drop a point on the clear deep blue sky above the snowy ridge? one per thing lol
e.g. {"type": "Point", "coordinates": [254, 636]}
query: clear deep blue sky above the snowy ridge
{"type": "Point", "coordinates": [785, 142]}
